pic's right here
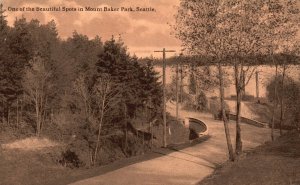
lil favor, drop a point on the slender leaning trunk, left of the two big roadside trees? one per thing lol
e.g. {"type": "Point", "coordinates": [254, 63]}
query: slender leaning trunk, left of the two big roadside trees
{"type": "Point", "coordinates": [226, 128]}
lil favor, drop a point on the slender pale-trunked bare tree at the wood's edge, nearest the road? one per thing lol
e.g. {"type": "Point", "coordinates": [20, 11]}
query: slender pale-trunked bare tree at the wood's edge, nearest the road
{"type": "Point", "coordinates": [98, 101]}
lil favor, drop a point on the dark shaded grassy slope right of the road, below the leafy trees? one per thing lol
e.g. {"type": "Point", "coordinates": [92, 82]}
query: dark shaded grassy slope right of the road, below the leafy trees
{"type": "Point", "coordinates": [274, 163]}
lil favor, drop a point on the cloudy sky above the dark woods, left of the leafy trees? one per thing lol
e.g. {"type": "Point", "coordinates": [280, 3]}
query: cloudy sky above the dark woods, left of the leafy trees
{"type": "Point", "coordinates": [142, 32]}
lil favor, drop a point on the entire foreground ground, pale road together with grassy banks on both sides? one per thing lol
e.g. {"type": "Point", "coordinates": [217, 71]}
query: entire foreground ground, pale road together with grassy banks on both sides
{"type": "Point", "coordinates": [204, 162]}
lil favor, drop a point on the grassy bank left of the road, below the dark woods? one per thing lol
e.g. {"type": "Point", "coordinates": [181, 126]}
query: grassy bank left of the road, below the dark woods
{"type": "Point", "coordinates": [19, 167]}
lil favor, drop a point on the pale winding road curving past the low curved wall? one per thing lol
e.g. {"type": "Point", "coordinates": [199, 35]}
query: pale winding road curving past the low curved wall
{"type": "Point", "coordinates": [187, 166]}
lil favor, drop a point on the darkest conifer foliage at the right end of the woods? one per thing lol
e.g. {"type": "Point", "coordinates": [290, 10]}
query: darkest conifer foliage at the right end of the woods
{"type": "Point", "coordinates": [137, 84]}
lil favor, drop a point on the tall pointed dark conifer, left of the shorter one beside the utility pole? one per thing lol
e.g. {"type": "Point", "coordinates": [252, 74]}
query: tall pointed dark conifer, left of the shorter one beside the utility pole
{"type": "Point", "coordinates": [124, 71]}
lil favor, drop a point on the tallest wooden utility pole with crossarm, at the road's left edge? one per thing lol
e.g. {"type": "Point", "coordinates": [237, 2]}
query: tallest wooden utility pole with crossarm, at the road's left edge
{"type": "Point", "coordinates": [164, 95]}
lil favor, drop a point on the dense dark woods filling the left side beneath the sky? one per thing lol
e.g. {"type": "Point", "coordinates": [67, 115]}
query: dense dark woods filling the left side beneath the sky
{"type": "Point", "coordinates": [77, 88]}
